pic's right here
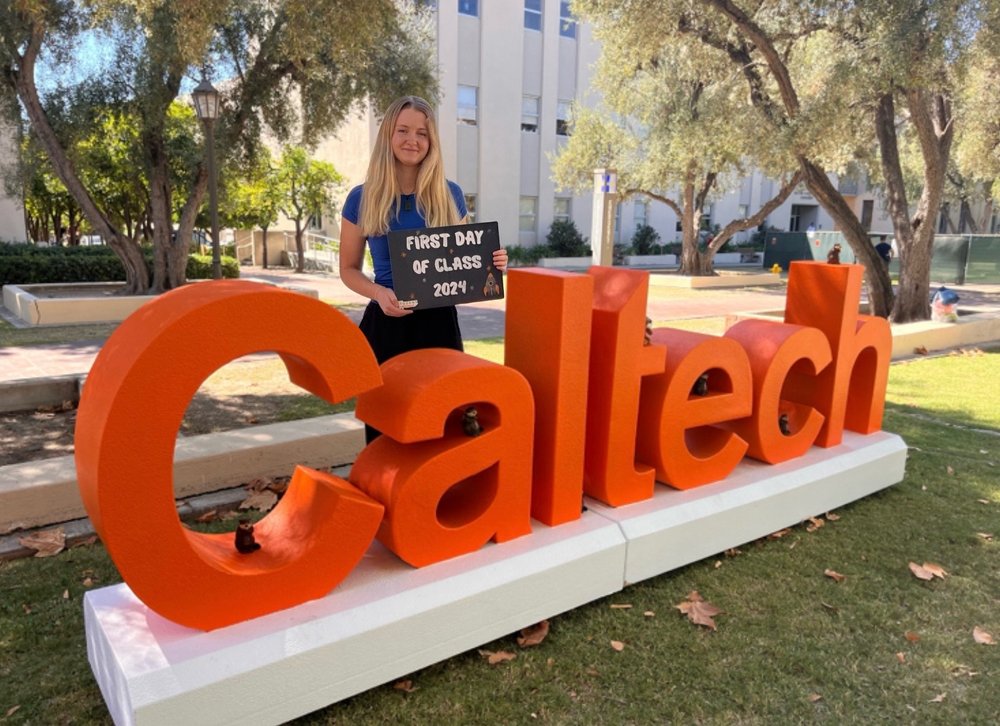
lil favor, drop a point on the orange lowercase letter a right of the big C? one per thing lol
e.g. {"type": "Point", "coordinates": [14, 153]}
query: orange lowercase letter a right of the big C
{"type": "Point", "coordinates": [447, 493]}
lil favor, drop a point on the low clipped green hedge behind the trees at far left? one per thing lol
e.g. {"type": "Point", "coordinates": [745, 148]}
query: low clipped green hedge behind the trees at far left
{"type": "Point", "coordinates": [25, 264]}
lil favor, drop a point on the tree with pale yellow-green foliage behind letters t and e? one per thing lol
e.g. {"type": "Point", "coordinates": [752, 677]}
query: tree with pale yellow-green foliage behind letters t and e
{"type": "Point", "coordinates": [675, 124]}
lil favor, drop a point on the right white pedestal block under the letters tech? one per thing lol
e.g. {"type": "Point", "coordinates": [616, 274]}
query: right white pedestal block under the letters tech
{"type": "Point", "coordinates": [676, 528]}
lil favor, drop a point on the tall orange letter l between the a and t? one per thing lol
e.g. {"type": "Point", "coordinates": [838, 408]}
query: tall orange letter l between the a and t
{"type": "Point", "coordinates": [548, 341]}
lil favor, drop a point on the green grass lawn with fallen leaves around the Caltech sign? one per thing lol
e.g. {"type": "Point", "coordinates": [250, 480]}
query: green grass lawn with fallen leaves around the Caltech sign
{"type": "Point", "coordinates": [792, 645]}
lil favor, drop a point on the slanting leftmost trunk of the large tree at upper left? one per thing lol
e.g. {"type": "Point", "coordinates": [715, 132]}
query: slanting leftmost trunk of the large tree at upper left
{"type": "Point", "coordinates": [23, 79]}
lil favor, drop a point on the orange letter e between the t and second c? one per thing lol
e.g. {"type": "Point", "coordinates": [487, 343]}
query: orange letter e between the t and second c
{"type": "Point", "coordinates": [676, 431]}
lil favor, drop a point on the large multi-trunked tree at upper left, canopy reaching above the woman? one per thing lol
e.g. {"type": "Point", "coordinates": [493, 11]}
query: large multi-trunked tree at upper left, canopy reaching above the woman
{"type": "Point", "coordinates": [291, 74]}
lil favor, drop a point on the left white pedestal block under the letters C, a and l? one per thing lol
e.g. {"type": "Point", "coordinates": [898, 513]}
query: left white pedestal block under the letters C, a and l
{"type": "Point", "coordinates": [384, 621]}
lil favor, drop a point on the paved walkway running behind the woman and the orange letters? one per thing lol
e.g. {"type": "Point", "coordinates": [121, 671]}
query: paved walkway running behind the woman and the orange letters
{"type": "Point", "coordinates": [478, 320]}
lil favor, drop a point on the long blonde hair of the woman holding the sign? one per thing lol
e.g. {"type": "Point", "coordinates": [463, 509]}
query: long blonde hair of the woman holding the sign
{"type": "Point", "coordinates": [382, 189]}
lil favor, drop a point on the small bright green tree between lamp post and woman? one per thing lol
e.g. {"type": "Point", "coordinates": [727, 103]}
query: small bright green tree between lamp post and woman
{"type": "Point", "coordinates": [306, 187]}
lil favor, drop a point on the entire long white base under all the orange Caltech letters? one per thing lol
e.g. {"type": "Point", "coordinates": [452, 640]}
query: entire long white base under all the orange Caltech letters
{"type": "Point", "coordinates": [387, 620]}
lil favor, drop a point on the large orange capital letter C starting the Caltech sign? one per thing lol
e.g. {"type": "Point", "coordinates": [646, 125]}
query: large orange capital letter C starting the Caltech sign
{"type": "Point", "coordinates": [131, 409]}
